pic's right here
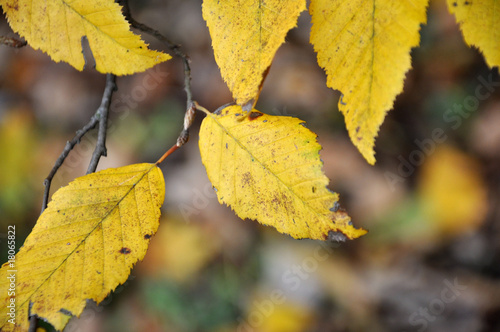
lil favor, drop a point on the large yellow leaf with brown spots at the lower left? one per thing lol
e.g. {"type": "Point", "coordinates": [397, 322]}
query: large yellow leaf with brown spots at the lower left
{"type": "Point", "coordinates": [83, 246]}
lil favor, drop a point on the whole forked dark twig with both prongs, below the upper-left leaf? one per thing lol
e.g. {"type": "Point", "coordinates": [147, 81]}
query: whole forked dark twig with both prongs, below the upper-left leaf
{"type": "Point", "coordinates": [100, 114]}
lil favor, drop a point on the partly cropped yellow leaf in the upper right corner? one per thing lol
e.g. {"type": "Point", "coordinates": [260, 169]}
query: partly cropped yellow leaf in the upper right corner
{"type": "Point", "coordinates": [480, 25]}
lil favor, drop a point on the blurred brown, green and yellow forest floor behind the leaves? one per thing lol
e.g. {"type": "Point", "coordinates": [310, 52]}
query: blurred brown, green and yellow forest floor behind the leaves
{"type": "Point", "coordinates": [431, 259]}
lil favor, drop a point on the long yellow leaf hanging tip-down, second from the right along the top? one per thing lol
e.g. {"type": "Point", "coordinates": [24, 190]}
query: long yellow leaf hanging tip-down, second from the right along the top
{"type": "Point", "coordinates": [364, 47]}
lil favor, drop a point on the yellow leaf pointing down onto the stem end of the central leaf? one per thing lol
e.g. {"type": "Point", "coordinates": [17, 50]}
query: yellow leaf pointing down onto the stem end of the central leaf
{"type": "Point", "coordinates": [245, 36]}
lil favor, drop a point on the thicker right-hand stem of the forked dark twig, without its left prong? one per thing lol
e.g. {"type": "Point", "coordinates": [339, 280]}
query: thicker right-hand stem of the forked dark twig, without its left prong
{"type": "Point", "coordinates": [102, 115]}
